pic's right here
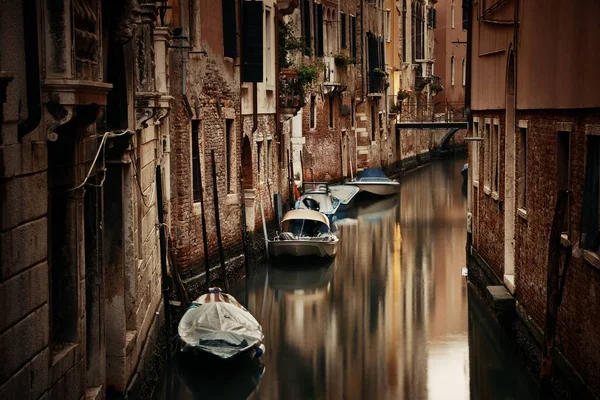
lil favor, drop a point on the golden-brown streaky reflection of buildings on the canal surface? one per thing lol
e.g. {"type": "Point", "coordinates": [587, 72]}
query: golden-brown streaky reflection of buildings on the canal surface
{"type": "Point", "coordinates": [393, 321]}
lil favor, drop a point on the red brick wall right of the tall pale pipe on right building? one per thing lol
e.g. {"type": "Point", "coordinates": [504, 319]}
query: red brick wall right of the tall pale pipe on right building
{"type": "Point", "coordinates": [579, 316]}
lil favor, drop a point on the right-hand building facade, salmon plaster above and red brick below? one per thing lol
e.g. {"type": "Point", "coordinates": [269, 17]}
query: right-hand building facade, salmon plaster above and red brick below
{"type": "Point", "coordinates": [534, 100]}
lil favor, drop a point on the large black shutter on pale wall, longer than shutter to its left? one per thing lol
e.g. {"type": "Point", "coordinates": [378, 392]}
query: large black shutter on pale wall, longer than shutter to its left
{"type": "Point", "coordinates": [252, 50]}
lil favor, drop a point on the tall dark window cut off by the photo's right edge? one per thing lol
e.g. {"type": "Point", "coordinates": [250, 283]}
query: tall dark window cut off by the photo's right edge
{"type": "Point", "coordinates": [590, 232]}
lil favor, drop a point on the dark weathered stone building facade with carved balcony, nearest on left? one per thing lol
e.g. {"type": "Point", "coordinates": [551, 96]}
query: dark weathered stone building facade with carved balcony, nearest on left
{"type": "Point", "coordinates": [84, 88]}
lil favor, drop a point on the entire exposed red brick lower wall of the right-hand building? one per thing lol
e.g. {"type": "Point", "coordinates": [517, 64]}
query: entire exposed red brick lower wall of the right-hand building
{"type": "Point", "coordinates": [579, 320]}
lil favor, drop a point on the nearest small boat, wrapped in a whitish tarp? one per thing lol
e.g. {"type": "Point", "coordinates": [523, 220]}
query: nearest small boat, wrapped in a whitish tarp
{"type": "Point", "coordinates": [216, 323]}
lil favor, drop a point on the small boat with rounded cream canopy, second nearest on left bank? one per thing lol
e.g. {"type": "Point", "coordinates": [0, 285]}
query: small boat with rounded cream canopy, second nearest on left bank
{"type": "Point", "coordinates": [304, 233]}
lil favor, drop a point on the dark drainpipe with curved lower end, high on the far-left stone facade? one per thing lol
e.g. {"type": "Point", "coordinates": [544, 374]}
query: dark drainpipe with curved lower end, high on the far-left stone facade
{"type": "Point", "coordinates": [32, 71]}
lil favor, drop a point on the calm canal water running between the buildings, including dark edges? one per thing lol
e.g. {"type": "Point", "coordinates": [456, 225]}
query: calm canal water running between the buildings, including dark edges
{"type": "Point", "coordinates": [390, 318]}
